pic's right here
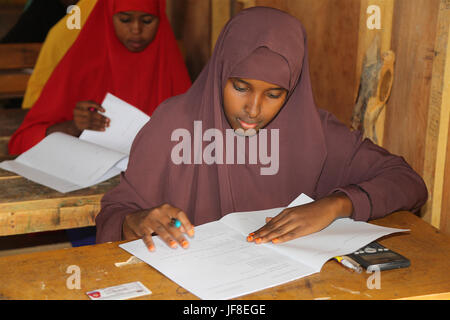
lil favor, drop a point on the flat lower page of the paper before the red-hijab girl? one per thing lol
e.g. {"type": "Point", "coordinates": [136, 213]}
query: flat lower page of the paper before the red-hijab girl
{"type": "Point", "coordinates": [65, 163]}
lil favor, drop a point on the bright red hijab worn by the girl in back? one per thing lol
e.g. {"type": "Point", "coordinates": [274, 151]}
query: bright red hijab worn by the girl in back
{"type": "Point", "coordinates": [98, 63]}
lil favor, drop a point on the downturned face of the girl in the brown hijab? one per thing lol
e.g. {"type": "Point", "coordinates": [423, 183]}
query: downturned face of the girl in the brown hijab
{"type": "Point", "coordinates": [252, 104]}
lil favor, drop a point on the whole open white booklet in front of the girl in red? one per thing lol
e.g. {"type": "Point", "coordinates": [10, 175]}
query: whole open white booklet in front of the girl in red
{"type": "Point", "coordinates": [66, 163]}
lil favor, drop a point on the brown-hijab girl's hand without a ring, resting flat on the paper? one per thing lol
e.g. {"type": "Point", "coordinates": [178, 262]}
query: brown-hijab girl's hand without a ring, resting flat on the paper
{"type": "Point", "coordinates": [299, 221]}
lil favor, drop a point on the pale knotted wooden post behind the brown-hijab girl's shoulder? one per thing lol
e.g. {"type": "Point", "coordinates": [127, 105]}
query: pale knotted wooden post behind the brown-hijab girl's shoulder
{"type": "Point", "coordinates": [374, 68]}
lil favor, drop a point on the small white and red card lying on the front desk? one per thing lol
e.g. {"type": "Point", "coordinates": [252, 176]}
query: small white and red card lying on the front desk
{"type": "Point", "coordinates": [120, 292]}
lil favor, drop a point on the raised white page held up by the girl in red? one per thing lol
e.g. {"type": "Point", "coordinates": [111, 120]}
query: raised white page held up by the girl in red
{"type": "Point", "coordinates": [126, 121]}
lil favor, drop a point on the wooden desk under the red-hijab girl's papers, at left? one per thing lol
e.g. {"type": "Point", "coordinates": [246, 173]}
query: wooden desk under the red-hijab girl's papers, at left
{"type": "Point", "coordinates": [27, 207]}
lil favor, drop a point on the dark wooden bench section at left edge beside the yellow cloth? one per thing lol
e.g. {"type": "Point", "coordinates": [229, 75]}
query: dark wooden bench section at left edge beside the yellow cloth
{"type": "Point", "coordinates": [16, 63]}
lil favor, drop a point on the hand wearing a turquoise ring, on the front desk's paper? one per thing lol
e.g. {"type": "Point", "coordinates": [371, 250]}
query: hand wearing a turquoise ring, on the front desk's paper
{"type": "Point", "coordinates": [159, 219]}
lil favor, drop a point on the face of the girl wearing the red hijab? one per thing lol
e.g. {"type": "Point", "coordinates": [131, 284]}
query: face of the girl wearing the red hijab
{"type": "Point", "coordinates": [135, 29]}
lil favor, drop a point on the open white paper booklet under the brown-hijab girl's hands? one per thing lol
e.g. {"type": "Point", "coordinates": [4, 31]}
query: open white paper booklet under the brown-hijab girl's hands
{"type": "Point", "coordinates": [220, 264]}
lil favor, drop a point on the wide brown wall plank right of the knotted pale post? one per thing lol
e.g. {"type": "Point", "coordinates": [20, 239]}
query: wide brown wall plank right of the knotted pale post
{"type": "Point", "coordinates": [413, 41]}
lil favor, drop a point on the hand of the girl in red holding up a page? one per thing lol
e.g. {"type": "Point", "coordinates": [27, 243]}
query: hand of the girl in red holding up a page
{"type": "Point", "coordinates": [86, 116]}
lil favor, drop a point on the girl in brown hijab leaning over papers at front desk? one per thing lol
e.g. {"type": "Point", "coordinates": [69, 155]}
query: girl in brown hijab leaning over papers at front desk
{"type": "Point", "coordinates": [256, 81]}
